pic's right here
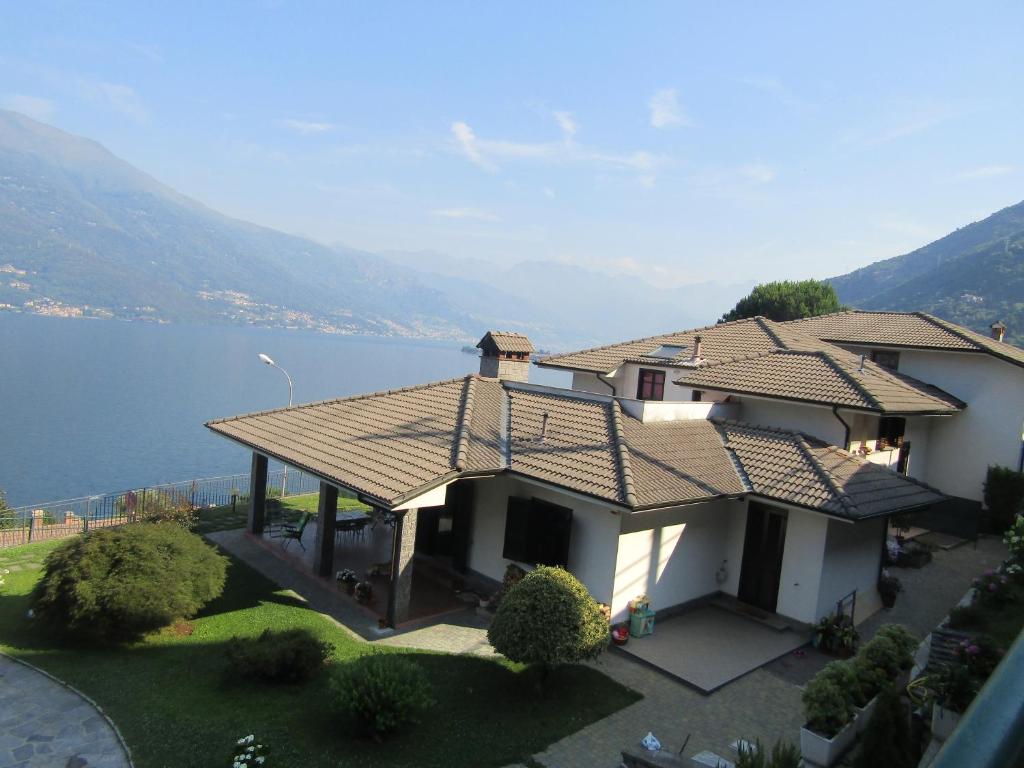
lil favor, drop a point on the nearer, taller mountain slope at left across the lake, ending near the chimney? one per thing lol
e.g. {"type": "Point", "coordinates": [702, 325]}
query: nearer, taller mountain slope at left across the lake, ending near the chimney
{"type": "Point", "coordinates": [84, 233]}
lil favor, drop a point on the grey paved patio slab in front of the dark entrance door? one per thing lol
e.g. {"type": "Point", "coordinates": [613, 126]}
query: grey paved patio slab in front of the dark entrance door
{"type": "Point", "coordinates": [709, 647]}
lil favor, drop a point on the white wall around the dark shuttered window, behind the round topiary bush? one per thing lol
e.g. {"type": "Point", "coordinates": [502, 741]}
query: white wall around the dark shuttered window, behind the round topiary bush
{"type": "Point", "coordinates": [593, 542]}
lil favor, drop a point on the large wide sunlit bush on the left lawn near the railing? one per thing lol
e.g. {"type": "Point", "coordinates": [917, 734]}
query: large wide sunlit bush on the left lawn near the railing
{"type": "Point", "coordinates": [117, 584]}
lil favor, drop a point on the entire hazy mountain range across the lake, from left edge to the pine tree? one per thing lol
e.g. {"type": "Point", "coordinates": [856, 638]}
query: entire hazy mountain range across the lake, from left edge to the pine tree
{"type": "Point", "coordinates": [84, 234]}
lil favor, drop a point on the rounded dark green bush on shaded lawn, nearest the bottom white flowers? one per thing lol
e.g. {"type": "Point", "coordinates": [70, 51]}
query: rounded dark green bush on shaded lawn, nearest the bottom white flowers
{"type": "Point", "coordinates": [383, 693]}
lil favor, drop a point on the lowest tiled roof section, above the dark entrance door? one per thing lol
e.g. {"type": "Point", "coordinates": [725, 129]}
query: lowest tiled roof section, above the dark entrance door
{"type": "Point", "coordinates": [797, 470]}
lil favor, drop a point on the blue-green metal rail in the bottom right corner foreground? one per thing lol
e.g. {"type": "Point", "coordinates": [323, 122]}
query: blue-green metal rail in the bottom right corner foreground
{"type": "Point", "coordinates": [992, 733]}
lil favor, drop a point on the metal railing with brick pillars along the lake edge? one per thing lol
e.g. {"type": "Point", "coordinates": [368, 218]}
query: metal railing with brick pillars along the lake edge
{"type": "Point", "coordinates": [72, 517]}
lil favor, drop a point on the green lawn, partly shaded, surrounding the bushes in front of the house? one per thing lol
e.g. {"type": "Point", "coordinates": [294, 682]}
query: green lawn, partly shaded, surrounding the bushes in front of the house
{"type": "Point", "coordinates": [169, 697]}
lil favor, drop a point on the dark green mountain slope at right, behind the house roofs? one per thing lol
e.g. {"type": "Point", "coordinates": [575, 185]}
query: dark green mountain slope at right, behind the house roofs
{"type": "Point", "coordinates": [973, 277]}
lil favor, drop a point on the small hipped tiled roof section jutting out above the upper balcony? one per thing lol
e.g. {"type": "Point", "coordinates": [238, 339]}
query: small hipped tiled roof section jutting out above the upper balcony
{"type": "Point", "coordinates": [831, 378]}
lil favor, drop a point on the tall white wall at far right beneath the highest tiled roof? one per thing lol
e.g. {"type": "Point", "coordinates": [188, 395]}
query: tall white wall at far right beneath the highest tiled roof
{"type": "Point", "coordinates": [989, 432]}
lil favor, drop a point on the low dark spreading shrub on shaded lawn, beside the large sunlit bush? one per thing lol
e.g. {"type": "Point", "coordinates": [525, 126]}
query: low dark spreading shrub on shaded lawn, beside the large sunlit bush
{"type": "Point", "coordinates": [288, 657]}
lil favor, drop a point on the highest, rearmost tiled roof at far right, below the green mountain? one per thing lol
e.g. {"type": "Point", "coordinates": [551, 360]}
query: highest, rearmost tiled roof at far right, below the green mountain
{"type": "Point", "coordinates": [913, 330]}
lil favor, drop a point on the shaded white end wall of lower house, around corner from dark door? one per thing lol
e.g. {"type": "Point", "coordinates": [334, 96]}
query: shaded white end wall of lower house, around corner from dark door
{"type": "Point", "coordinates": [854, 556]}
